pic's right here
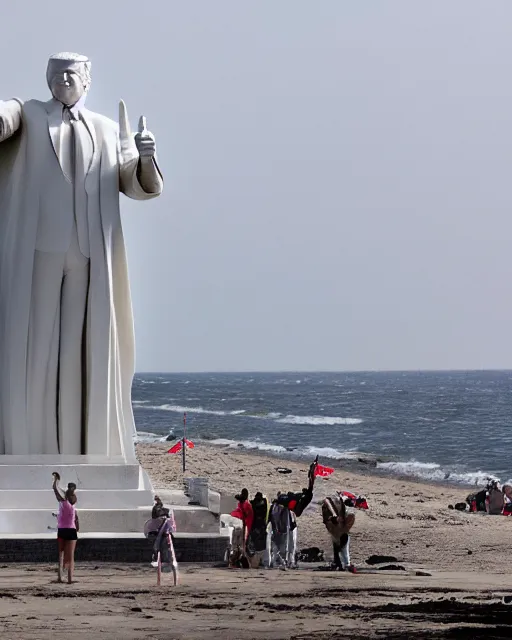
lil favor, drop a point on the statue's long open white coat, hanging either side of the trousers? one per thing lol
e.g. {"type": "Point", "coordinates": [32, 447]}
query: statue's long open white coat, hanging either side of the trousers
{"type": "Point", "coordinates": [28, 172]}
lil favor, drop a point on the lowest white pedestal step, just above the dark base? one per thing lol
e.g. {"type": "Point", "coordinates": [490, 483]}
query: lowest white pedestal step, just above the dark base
{"type": "Point", "coordinates": [189, 519]}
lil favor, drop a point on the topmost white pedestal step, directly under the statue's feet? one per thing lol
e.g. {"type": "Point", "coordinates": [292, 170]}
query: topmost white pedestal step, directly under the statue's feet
{"type": "Point", "coordinates": [85, 476]}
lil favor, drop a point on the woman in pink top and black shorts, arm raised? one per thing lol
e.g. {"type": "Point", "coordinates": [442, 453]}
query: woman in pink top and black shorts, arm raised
{"type": "Point", "coordinates": [67, 527]}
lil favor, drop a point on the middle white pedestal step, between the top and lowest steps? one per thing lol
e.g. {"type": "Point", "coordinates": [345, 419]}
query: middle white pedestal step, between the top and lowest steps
{"type": "Point", "coordinates": [87, 499]}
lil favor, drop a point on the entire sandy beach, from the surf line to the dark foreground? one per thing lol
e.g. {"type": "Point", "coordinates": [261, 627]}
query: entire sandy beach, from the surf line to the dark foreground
{"type": "Point", "coordinates": [454, 580]}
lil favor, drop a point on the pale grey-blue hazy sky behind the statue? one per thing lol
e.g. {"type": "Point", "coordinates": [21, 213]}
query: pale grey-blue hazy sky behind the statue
{"type": "Point", "coordinates": [338, 174]}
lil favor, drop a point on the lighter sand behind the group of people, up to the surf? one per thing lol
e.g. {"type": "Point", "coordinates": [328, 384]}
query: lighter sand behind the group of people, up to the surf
{"type": "Point", "coordinates": [408, 520]}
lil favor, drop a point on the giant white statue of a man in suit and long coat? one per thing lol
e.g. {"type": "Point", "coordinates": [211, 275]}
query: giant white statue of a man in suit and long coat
{"type": "Point", "coordinates": [66, 325]}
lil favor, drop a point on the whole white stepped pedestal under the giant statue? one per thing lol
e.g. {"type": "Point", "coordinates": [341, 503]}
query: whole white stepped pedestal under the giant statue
{"type": "Point", "coordinates": [114, 501]}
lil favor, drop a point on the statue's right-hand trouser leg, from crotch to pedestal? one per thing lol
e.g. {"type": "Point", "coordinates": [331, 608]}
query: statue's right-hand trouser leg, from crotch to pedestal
{"type": "Point", "coordinates": [72, 379]}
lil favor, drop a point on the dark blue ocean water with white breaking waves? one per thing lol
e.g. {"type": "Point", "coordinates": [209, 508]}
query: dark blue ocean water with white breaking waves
{"type": "Point", "coordinates": [444, 426]}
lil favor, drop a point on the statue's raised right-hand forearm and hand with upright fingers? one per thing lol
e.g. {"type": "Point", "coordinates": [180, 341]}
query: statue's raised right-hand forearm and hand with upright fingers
{"type": "Point", "coordinates": [140, 176]}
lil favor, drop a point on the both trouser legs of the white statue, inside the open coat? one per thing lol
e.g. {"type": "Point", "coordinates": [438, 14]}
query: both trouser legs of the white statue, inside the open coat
{"type": "Point", "coordinates": [59, 296]}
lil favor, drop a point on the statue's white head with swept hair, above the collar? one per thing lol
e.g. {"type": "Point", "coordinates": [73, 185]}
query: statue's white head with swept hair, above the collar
{"type": "Point", "coordinates": [69, 77]}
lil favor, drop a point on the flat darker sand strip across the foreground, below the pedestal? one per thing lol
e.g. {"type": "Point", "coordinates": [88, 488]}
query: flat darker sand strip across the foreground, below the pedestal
{"type": "Point", "coordinates": [123, 602]}
